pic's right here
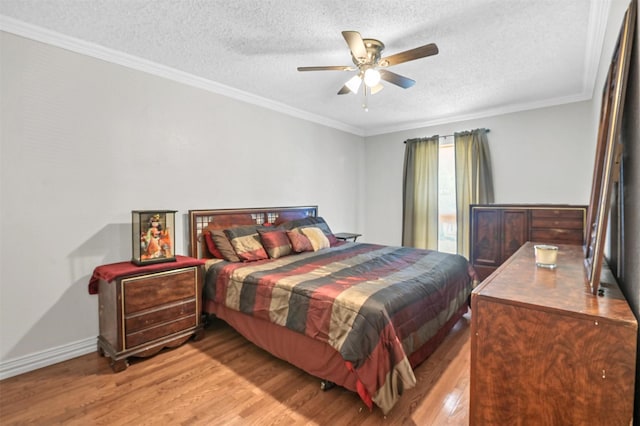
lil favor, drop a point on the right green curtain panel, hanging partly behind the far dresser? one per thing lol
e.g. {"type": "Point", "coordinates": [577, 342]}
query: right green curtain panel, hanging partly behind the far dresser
{"type": "Point", "coordinates": [474, 182]}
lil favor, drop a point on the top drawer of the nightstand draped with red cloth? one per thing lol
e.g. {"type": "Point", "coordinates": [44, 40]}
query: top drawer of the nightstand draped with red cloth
{"type": "Point", "coordinates": [152, 290]}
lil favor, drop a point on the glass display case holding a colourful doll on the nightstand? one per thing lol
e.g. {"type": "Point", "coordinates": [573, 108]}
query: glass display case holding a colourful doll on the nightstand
{"type": "Point", "coordinates": [153, 236]}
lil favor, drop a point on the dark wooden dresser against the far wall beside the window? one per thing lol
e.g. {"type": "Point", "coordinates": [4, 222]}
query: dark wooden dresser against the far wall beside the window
{"type": "Point", "coordinates": [498, 230]}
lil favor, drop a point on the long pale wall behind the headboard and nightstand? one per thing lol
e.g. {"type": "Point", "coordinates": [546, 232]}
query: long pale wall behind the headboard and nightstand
{"type": "Point", "coordinates": [84, 142]}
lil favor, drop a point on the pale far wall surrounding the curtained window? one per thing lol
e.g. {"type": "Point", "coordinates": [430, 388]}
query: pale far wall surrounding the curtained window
{"type": "Point", "coordinates": [538, 156]}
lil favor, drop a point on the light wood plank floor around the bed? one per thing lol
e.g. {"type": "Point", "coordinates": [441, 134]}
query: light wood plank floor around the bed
{"type": "Point", "coordinates": [225, 380]}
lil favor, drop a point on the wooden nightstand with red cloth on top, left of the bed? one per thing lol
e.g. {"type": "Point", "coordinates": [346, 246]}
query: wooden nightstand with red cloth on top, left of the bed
{"type": "Point", "coordinates": [146, 308]}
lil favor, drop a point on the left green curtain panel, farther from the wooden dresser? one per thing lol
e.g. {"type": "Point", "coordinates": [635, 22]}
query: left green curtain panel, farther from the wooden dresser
{"type": "Point", "coordinates": [420, 193]}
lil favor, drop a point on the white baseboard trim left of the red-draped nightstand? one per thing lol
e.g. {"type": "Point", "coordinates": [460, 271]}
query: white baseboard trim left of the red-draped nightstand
{"type": "Point", "coordinates": [47, 357]}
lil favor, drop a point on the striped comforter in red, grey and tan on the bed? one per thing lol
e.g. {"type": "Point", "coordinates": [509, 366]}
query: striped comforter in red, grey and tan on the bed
{"type": "Point", "coordinates": [374, 304]}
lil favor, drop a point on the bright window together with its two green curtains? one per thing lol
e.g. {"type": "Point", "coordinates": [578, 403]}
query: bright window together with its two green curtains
{"type": "Point", "coordinates": [450, 175]}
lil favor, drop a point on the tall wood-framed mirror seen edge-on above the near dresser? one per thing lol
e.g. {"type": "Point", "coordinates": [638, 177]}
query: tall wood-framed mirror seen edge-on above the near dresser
{"type": "Point", "coordinates": [608, 150]}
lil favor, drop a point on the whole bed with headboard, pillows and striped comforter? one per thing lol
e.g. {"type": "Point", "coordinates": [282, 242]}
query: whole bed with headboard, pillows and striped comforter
{"type": "Point", "coordinates": [359, 315]}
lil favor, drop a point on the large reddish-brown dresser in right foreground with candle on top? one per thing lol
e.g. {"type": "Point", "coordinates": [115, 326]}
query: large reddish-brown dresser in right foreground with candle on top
{"type": "Point", "coordinates": [545, 351]}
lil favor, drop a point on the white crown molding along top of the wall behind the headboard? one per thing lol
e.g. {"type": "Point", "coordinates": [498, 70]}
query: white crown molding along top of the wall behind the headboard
{"type": "Point", "coordinates": [72, 44]}
